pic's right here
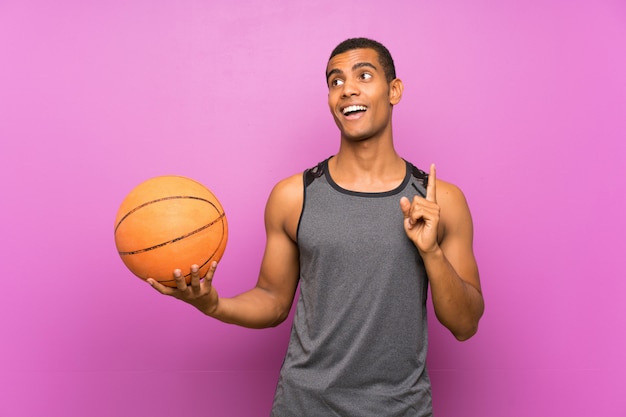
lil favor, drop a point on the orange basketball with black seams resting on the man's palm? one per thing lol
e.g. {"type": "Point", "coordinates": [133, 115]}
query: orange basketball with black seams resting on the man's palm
{"type": "Point", "coordinates": [168, 223]}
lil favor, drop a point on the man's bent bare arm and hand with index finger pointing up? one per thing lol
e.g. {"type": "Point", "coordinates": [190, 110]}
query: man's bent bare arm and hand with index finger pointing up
{"type": "Point", "coordinates": [441, 227]}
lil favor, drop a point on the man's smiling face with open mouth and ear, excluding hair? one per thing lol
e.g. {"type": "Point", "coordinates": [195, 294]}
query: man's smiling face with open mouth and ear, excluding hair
{"type": "Point", "coordinates": [359, 96]}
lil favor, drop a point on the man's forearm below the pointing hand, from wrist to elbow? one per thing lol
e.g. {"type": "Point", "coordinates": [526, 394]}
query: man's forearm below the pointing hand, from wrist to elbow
{"type": "Point", "coordinates": [458, 304]}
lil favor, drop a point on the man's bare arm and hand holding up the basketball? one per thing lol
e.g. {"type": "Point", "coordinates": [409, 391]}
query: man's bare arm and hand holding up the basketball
{"type": "Point", "coordinates": [269, 302]}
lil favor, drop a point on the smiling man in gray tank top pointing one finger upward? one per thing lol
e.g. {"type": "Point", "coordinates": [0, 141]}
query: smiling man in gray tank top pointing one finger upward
{"type": "Point", "coordinates": [364, 233]}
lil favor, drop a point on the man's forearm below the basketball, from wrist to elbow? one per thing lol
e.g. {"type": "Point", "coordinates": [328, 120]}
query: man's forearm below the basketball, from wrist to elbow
{"type": "Point", "coordinates": [256, 308]}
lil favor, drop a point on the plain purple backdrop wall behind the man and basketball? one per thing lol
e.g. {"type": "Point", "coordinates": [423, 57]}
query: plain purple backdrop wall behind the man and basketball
{"type": "Point", "coordinates": [521, 104]}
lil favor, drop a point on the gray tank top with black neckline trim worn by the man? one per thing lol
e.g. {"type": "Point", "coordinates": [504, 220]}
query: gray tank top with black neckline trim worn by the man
{"type": "Point", "coordinates": [359, 337]}
